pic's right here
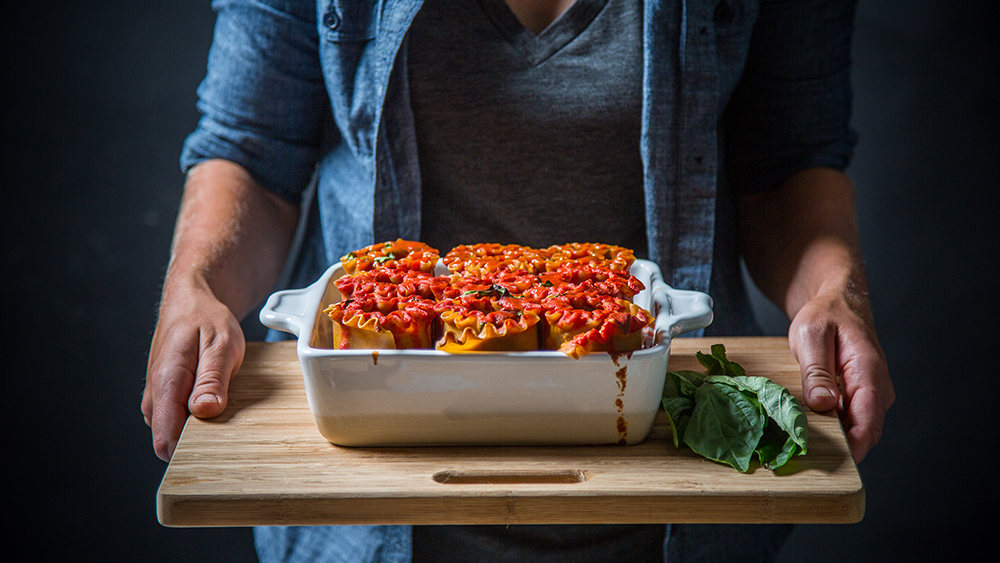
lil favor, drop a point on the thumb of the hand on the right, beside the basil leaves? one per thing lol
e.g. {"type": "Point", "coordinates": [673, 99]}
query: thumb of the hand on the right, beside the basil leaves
{"type": "Point", "coordinates": [814, 347]}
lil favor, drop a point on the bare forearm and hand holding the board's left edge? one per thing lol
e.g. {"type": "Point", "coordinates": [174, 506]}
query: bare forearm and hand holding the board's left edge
{"type": "Point", "coordinates": [229, 247]}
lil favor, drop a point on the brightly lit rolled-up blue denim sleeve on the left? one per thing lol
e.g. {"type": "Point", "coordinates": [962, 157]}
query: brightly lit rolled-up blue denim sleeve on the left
{"type": "Point", "coordinates": [263, 99]}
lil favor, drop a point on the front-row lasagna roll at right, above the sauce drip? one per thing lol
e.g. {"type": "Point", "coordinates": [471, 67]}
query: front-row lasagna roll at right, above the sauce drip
{"type": "Point", "coordinates": [581, 323]}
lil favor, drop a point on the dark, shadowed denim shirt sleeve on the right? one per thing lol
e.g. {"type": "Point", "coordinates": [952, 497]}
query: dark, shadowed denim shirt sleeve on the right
{"type": "Point", "coordinates": [791, 109]}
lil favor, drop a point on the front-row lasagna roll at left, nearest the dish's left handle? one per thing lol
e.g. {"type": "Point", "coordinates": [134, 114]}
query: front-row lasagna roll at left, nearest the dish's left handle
{"type": "Point", "coordinates": [370, 322]}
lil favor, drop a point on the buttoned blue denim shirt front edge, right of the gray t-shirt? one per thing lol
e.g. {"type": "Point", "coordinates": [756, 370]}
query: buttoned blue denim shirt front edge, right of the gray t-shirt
{"type": "Point", "coordinates": [680, 138]}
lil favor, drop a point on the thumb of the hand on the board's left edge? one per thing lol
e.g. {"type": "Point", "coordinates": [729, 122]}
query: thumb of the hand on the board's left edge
{"type": "Point", "coordinates": [220, 358]}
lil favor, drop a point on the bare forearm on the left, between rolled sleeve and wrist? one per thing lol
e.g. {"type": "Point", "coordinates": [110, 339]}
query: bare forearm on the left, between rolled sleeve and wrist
{"type": "Point", "coordinates": [232, 236]}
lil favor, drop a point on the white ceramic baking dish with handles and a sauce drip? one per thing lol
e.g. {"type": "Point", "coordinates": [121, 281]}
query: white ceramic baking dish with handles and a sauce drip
{"type": "Point", "coordinates": [428, 397]}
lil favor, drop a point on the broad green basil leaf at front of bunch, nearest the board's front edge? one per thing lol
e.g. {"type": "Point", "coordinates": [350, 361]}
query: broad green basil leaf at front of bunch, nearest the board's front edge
{"type": "Point", "coordinates": [725, 425]}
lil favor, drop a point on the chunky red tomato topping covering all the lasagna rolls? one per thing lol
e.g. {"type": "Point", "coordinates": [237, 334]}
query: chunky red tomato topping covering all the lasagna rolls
{"type": "Point", "coordinates": [581, 292]}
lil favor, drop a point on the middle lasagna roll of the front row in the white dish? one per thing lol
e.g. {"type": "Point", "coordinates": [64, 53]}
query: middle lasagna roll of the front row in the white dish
{"type": "Point", "coordinates": [488, 320]}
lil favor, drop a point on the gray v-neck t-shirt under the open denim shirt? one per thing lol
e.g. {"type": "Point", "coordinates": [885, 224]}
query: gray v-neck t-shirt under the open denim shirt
{"type": "Point", "coordinates": [528, 139]}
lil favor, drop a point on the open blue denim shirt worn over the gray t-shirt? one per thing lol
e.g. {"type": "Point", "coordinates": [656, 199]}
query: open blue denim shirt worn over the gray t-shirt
{"type": "Point", "coordinates": [737, 96]}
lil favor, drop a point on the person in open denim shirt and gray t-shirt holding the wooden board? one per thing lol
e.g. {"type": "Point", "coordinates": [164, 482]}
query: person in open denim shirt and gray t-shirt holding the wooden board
{"type": "Point", "coordinates": [695, 132]}
